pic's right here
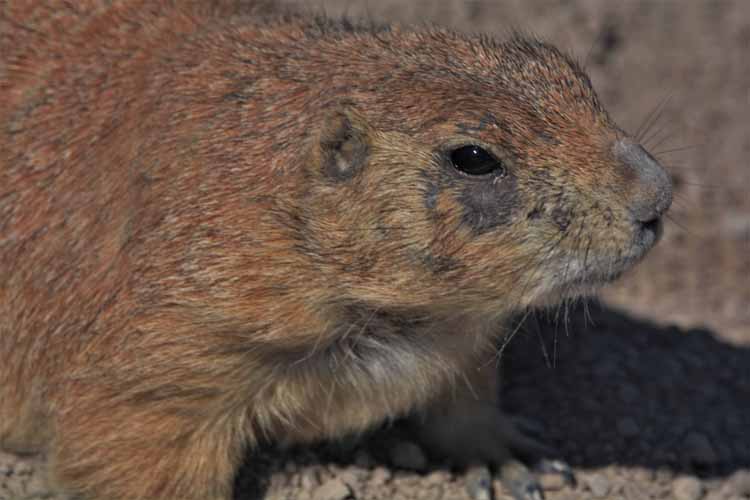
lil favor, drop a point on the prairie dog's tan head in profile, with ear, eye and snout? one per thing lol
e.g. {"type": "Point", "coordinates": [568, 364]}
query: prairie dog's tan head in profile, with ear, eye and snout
{"type": "Point", "coordinates": [479, 175]}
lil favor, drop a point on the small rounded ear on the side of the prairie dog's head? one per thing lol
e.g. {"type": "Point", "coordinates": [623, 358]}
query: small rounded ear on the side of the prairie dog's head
{"type": "Point", "coordinates": [344, 144]}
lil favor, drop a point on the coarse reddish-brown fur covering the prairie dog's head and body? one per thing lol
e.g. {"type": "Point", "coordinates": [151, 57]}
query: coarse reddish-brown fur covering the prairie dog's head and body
{"type": "Point", "coordinates": [217, 226]}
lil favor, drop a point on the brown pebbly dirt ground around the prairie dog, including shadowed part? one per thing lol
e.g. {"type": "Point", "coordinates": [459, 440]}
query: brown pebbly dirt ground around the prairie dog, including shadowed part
{"type": "Point", "coordinates": [646, 395]}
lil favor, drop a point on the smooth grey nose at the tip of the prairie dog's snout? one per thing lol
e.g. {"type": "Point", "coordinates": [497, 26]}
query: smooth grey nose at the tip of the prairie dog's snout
{"type": "Point", "coordinates": [651, 192]}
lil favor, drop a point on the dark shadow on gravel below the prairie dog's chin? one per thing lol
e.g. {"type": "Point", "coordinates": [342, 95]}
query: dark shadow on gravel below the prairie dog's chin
{"type": "Point", "coordinates": [613, 389]}
